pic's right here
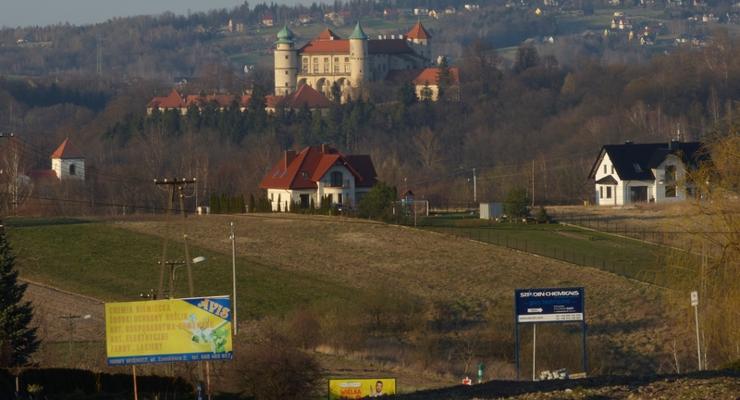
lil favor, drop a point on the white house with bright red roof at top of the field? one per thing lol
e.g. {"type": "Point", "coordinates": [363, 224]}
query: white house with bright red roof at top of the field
{"type": "Point", "coordinates": [318, 174]}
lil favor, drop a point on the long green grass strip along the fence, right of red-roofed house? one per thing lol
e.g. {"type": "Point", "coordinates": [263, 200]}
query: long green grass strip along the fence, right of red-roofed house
{"type": "Point", "coordinates": [627, 257]}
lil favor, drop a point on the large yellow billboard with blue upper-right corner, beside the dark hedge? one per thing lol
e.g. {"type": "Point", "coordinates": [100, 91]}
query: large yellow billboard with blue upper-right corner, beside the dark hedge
{"type": "Point", "coordinates": [192, 329]}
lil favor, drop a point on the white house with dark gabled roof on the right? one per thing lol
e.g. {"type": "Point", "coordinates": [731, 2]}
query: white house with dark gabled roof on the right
{"type": "Point", "coordinates": [632, 173]}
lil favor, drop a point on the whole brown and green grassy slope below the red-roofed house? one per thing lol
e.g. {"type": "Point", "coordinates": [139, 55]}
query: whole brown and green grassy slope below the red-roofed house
{"type": "Point", "coordinates": [414, 304]}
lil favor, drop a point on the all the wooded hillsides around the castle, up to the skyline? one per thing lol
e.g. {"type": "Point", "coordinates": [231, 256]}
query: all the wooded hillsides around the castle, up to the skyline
{"type": "Point", "coordinates": [540, 115]}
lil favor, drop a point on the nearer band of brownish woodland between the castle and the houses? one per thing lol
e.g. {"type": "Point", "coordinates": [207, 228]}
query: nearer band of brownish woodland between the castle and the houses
{"type": "Point", "coordinates": [538, 114]}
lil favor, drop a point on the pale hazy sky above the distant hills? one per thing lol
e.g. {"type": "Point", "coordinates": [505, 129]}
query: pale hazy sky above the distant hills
{"type": "Point", "coordinates": [44, 12]}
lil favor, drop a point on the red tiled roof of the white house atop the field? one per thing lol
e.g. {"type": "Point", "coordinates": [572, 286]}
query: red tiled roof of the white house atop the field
{"type": "Point", "coordinates": [303, 170]}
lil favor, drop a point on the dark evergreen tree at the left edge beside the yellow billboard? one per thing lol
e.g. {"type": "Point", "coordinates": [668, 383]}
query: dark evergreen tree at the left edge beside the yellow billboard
{"type": "Point", "coordinates": [17, 340]}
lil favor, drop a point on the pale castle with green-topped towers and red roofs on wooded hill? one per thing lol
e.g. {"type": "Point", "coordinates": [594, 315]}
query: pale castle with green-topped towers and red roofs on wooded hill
{"type": "Point", "coordinates": [328, 59]}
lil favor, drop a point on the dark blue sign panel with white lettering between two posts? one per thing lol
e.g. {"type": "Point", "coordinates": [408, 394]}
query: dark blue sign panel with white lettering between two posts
{"type": "Point", "coordinates": [549, 305]}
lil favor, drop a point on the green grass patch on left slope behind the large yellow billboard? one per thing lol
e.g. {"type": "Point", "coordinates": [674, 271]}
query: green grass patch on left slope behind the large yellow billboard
{"type": "Point", "coordinates": [113, 264]}
